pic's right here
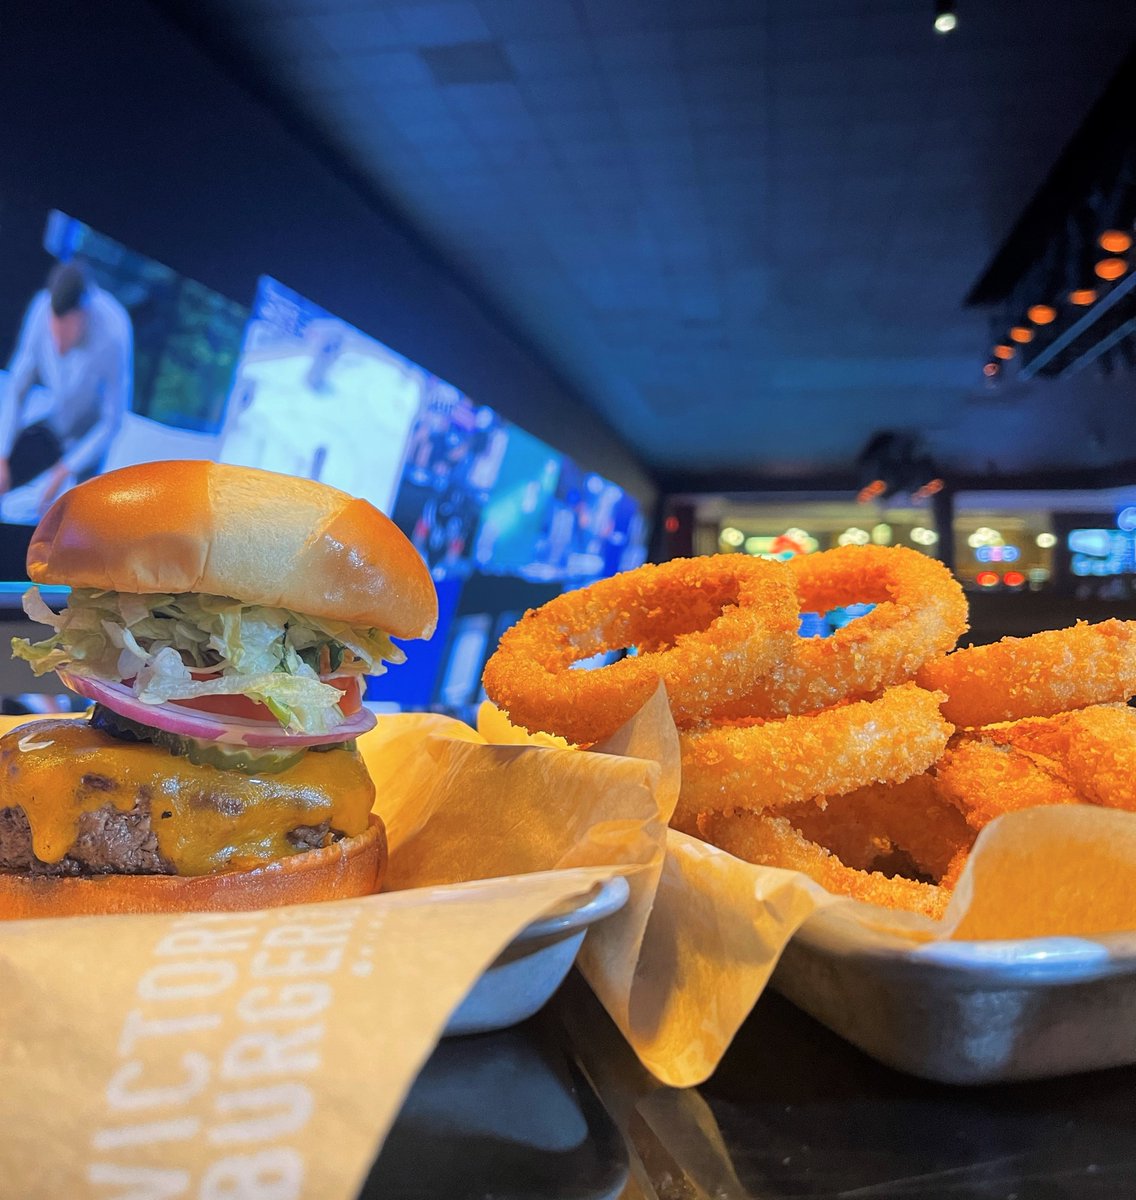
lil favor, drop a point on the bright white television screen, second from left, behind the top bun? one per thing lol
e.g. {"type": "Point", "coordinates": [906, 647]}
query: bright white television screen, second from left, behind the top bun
{"type": "Point", "coordinates": [314, 397]}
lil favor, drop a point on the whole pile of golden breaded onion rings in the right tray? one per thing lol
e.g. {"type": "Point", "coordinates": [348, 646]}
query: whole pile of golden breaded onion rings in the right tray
{"type": "Point", "coordinates": [869, 760]}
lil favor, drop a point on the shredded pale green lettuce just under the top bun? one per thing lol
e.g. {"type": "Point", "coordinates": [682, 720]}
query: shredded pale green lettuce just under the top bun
{"type": "Point", "coordinates": [272, 656]}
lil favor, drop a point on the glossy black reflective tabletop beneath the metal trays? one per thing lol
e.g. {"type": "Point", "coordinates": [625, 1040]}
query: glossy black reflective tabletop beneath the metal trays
{"type": "Point", "coordinates": [560, 1108]}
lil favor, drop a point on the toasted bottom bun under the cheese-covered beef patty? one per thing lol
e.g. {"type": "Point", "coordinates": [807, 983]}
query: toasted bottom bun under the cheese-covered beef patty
{"type": "Point", "coordinates": [353, 867]}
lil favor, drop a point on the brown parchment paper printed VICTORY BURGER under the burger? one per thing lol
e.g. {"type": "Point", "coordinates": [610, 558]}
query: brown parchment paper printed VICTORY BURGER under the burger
{"type": "Point", "coordinates": [267, 1054]}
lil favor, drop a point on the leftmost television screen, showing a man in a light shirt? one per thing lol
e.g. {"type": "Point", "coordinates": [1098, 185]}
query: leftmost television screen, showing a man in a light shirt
{"type": "Point", "coordinates": [111, 358]}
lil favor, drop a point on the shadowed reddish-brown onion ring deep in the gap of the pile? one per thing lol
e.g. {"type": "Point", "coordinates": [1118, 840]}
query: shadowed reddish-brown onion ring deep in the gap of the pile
{"type": "Point", "coordinates": [911, 819]}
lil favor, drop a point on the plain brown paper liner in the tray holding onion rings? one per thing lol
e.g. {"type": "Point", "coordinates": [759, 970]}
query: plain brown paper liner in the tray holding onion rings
{"type": "Point", "coordinates": [681, 985]}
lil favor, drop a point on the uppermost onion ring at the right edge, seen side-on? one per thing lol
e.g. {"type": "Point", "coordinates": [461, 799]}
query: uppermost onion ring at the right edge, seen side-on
{"type": "Point", "coordinates": [1037, 676]}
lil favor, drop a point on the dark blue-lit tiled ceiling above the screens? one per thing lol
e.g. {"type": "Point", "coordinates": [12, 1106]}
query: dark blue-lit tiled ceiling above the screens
{"type": "Point", "coordinates": [743, 231]}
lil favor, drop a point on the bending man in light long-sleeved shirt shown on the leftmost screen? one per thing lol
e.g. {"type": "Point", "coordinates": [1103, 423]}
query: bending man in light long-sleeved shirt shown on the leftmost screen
{"type": "Point", "coordinates": [69, 386]}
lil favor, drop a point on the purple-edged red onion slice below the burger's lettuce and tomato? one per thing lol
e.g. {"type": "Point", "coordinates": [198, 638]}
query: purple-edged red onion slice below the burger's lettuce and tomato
{"type": "Point", "coordinates": [190, 723]}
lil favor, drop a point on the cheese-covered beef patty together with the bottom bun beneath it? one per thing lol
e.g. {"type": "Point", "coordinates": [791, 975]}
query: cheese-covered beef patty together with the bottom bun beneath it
{"type": "Point", "coordinates": [100, 823]}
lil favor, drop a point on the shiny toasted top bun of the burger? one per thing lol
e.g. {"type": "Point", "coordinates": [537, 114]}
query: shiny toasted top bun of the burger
{"type": "Point", "coordinates": [254, 536]}
